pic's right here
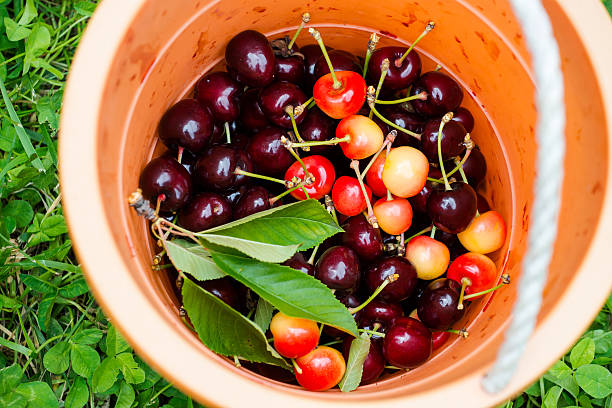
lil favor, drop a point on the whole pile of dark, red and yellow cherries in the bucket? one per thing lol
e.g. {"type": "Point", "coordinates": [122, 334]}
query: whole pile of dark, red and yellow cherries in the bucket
{"type": "Point", "coordinates": [396, 162]}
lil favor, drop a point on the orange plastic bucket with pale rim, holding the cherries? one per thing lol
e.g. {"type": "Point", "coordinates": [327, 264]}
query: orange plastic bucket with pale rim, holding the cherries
{"type": "Point", "coordinates": [137, 58]}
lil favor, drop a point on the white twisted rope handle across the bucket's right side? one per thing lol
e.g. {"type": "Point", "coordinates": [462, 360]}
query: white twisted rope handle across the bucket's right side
{"type": "Point", "coordinates": [550, 137]}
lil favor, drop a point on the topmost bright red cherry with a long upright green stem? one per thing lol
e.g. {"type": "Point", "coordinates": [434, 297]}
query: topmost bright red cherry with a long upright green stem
{"type": "Point", "coordinates": [344, 101]}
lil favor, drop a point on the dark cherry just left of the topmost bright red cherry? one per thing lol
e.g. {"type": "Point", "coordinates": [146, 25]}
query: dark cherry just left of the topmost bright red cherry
{"type": "Point", "coordinates": [276, 97]}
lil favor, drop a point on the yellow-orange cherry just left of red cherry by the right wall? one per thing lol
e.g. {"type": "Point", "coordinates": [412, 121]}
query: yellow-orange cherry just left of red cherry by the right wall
{"type": "Point", "coordinates": [428, 256]}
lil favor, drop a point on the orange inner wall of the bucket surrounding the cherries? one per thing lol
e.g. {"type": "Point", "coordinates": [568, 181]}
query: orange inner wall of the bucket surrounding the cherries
{"type": "Point", "coordinates": [478, 42]}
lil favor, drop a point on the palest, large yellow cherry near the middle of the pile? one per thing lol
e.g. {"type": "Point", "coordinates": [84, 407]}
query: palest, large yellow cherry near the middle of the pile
{"type": "Point", "coordinates": [405, 171]}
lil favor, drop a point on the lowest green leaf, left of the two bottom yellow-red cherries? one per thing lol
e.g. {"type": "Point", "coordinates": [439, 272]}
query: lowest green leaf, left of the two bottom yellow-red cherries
{"type": "Point", "coordinates": [224, 330]}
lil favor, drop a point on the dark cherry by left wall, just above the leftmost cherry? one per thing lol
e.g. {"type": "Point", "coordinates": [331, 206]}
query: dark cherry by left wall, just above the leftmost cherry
{"type": "Point", "coordinates": [186, 124]}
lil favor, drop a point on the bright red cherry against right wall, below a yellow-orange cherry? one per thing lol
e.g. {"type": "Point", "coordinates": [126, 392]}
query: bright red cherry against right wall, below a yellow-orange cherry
{"type": "Point", "coordinates": [478, 268]}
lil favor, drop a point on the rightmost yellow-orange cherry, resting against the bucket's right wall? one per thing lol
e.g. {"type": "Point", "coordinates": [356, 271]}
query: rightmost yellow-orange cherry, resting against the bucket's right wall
{"type": "Point", "coordinates": [485, 234]}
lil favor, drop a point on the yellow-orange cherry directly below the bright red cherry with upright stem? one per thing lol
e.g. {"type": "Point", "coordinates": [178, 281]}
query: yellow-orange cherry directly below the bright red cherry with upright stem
{"type": "Point", "coordinates": [362, 136]}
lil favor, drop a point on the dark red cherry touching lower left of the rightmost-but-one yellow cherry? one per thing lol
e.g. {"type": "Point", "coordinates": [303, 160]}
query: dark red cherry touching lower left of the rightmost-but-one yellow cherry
{"type": "Point", "coordinates": [398, 290]}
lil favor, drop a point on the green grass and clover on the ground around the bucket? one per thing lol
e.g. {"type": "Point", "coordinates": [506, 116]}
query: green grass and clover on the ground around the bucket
{"type": "Point", "coordinates": [56, 346]}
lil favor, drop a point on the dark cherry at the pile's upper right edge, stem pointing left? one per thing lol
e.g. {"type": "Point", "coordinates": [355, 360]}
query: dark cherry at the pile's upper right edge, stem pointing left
{"type": "Point", "coordinates": [443, 94]}
